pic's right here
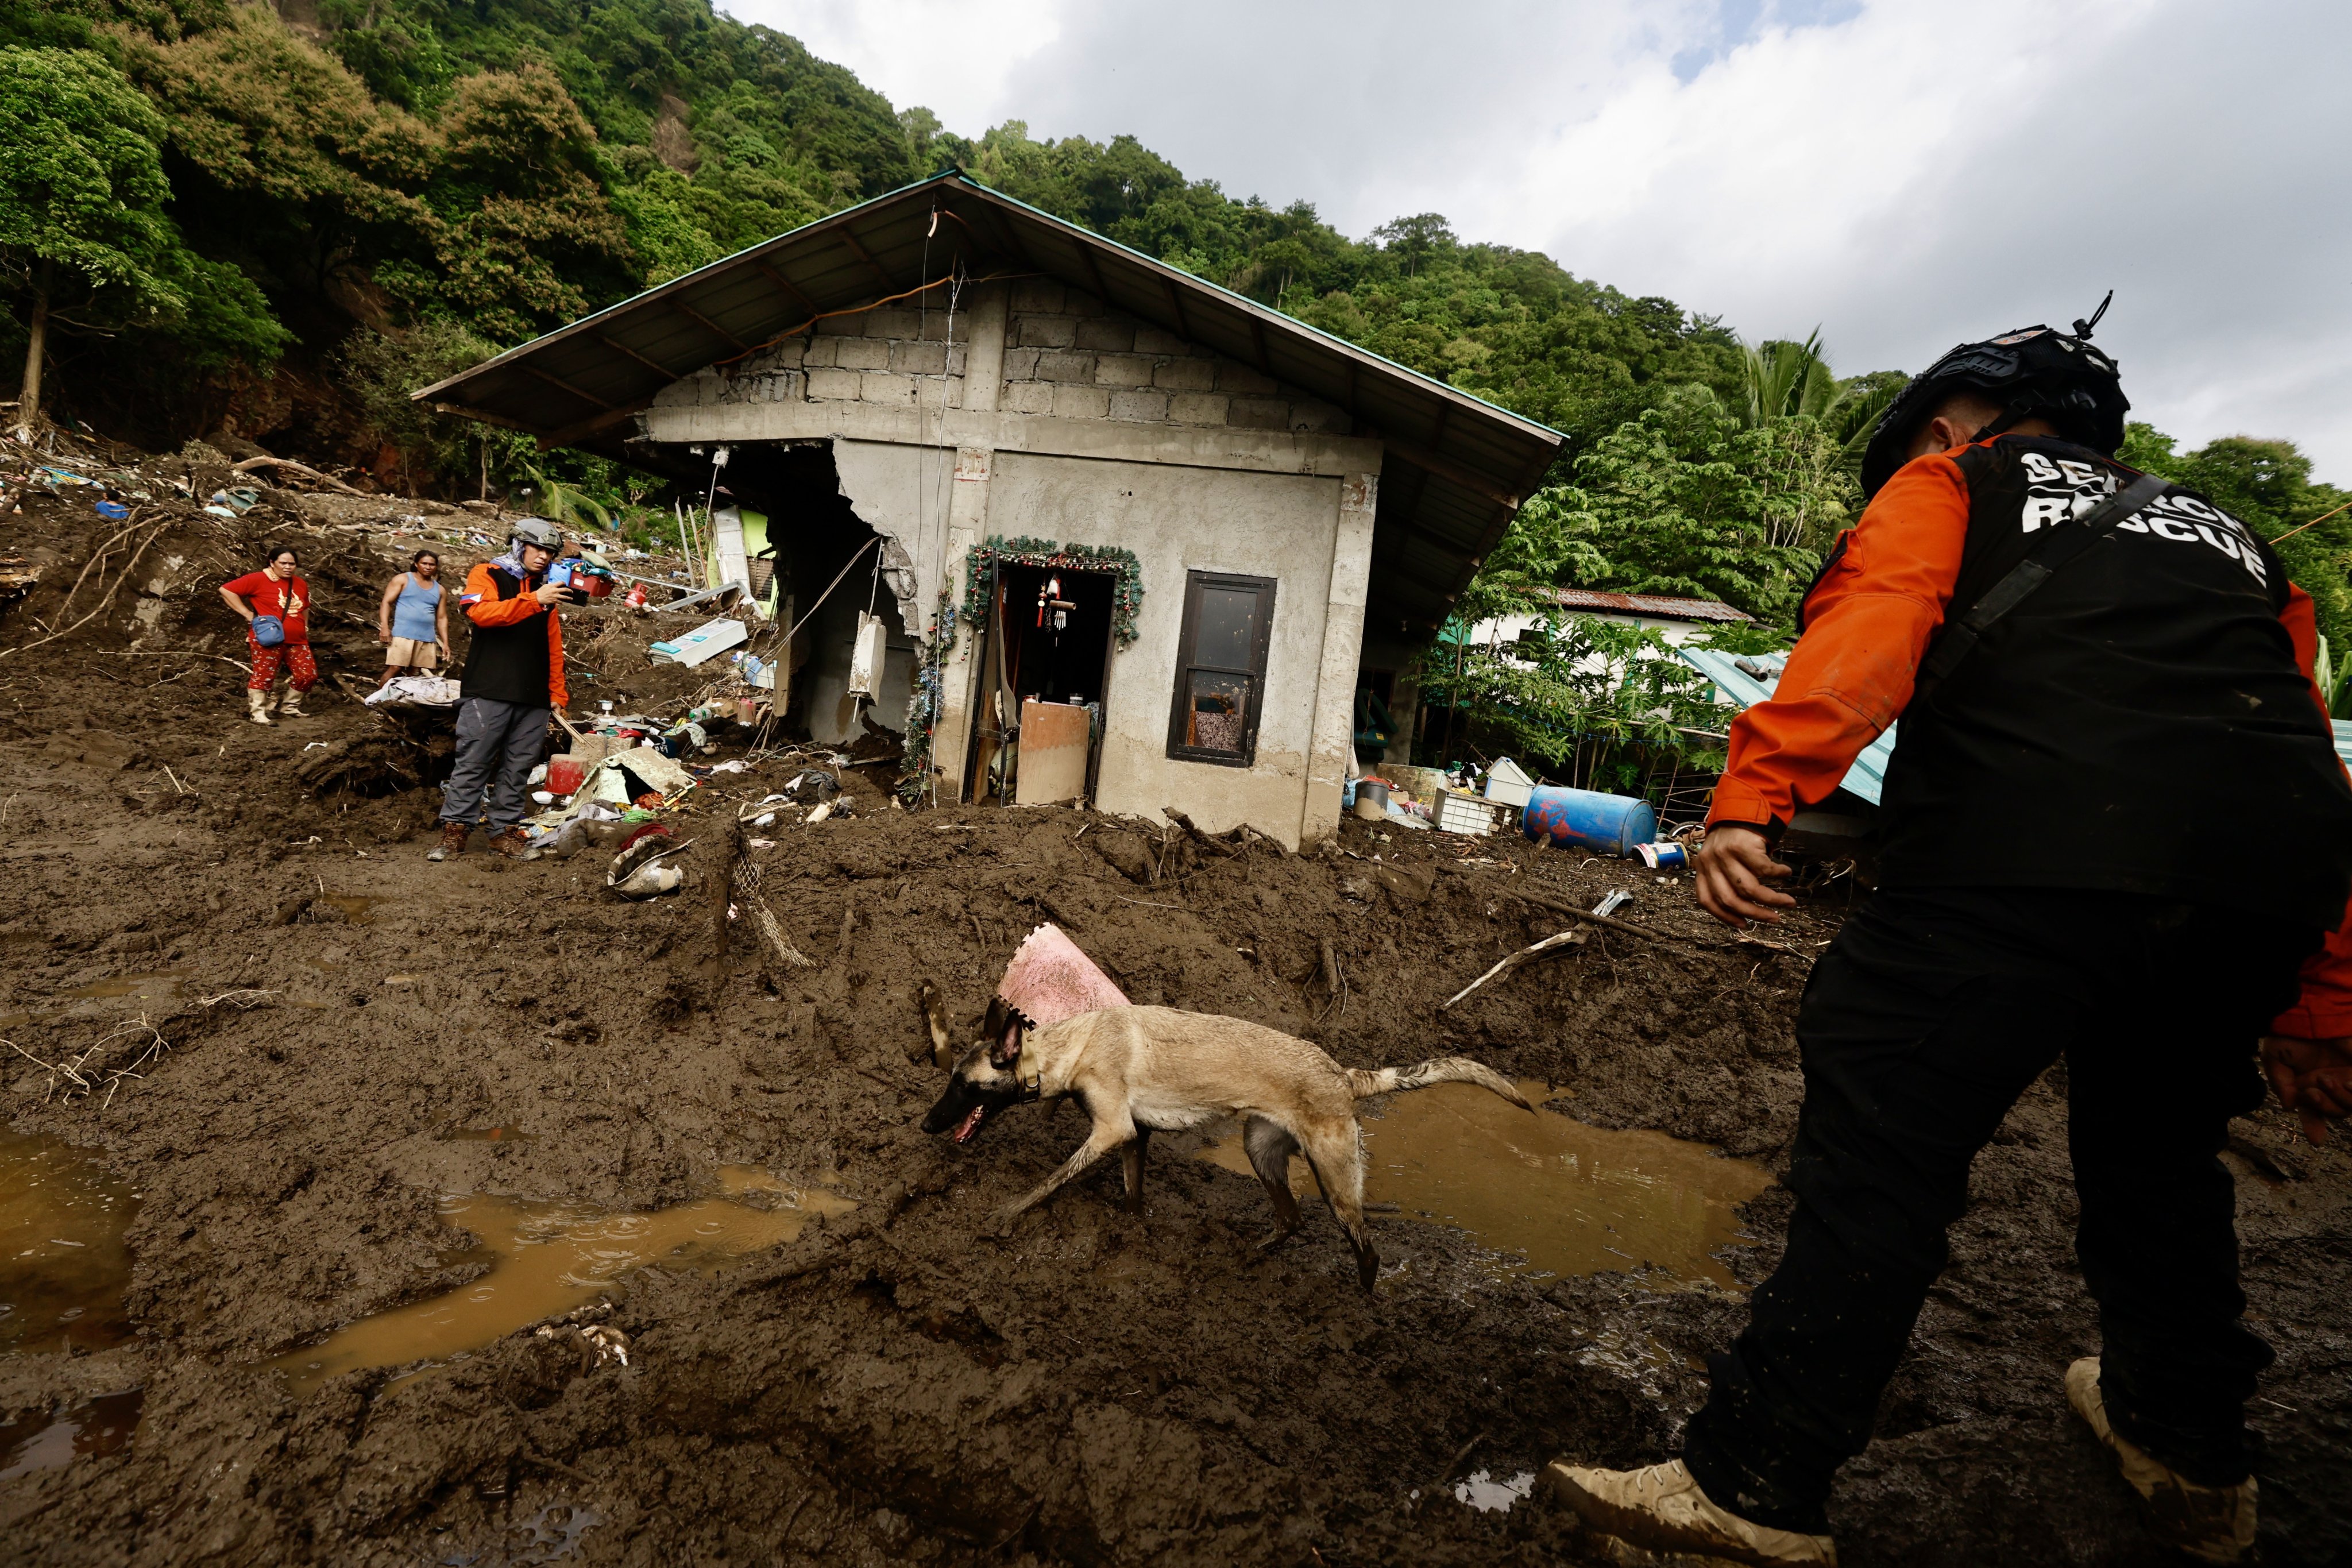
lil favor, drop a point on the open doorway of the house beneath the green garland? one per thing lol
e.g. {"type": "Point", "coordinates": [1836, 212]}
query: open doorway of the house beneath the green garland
{"type": "Point", "coordinates": [1045, 671]}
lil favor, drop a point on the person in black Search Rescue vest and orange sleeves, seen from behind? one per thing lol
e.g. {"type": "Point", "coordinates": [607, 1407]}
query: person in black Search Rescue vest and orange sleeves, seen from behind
{"type": "Point", "coordinates": [2085, 688]}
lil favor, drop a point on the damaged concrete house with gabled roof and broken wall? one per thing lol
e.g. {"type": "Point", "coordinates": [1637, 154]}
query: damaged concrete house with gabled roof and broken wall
{"type": "Point", "coordinates": [1130, 537]}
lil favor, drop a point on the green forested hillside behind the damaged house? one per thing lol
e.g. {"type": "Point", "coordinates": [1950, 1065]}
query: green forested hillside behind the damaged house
{"type": "Point", "coordinates": [272, 225]}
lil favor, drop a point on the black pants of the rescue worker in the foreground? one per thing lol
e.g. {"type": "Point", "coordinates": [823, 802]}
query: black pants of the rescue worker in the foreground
{"type": "Point", "coordinates": [1920, 1028]}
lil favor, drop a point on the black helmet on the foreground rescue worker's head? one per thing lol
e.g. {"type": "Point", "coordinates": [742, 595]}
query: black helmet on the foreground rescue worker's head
{"type": "Point", "coordinates": [2031, 373]}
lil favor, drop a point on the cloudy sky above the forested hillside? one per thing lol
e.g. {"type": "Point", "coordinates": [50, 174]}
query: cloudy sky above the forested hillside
{"type": "Point", "coordinates": [1897, 173]}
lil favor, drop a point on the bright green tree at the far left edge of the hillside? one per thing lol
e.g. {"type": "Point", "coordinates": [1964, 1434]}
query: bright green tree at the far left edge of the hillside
{"type": "Point", "coordinates": [83, 222]}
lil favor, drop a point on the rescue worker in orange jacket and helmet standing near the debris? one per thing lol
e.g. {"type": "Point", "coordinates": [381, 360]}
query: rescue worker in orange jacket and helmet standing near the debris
{"type": "Point", "coordinates": [512, 690]}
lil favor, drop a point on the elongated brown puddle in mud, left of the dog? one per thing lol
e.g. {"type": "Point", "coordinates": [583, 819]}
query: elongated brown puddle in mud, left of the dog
{"type": "Point", "coordinates": [552, 1259]}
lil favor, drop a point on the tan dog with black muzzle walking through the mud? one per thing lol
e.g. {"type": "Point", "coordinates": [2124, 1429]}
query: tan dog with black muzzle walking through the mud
{"type": "Point", "coordinates": [1147, 1071]}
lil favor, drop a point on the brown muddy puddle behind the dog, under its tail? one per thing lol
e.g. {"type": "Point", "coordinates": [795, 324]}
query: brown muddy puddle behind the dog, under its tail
{"type": "Point", "coordinates": [1551, 1193]}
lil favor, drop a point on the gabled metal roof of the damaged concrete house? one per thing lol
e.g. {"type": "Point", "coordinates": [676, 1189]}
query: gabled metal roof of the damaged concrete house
{"type": "Point", "coordinates": [1455, 467]}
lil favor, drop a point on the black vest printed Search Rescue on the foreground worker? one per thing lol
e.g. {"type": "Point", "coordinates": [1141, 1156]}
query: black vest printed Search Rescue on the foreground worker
{"type": "Point", "coordinates": [2137, 723]}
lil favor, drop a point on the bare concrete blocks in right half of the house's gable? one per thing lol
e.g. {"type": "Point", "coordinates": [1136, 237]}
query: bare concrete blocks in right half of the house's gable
{"type": "Point", "coordinates": [1071, 356]}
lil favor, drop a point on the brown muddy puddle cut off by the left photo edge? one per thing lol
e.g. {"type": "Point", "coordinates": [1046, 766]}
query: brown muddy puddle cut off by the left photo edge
{"type": "Point", "coordinates": [62, 1257]}
